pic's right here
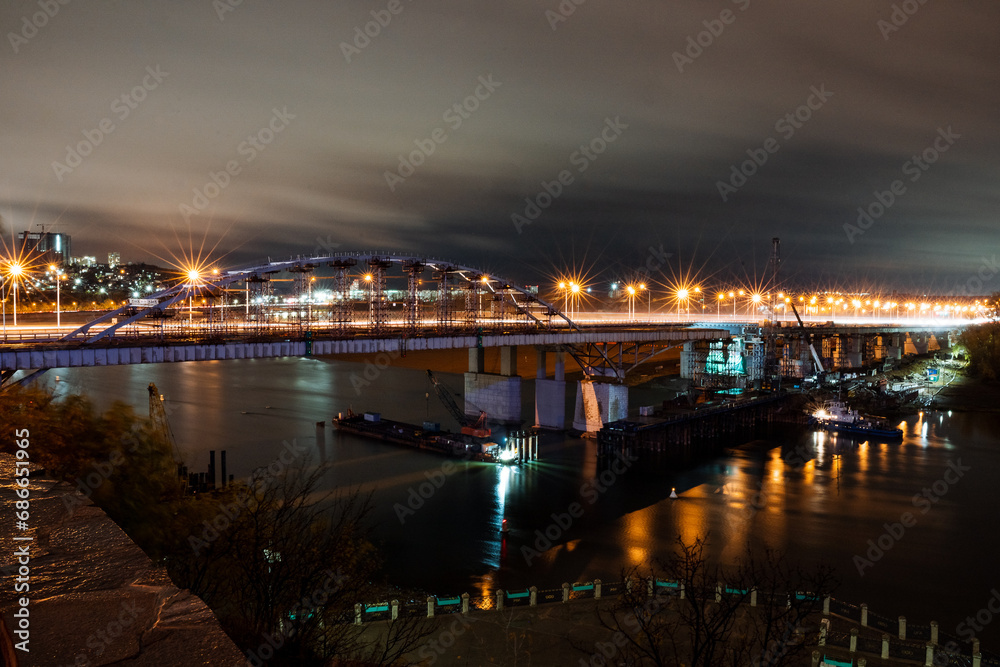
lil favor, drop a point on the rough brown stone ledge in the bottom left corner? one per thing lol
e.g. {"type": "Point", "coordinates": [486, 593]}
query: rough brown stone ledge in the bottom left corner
{"type": "Point", "coordinates": [92, 596]}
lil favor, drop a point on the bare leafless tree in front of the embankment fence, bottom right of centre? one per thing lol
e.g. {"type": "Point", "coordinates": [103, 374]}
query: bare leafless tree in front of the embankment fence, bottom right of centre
{"type": "Point", "coordinates": [755, 613]}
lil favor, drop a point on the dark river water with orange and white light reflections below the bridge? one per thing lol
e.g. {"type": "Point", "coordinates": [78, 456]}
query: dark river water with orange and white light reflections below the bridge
{"type": "Point", "coordinates": [818, 497]}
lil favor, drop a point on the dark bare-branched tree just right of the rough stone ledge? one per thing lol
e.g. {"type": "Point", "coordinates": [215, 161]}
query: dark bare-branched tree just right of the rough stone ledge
{"type": "Point", "coordinates": [286, 568]}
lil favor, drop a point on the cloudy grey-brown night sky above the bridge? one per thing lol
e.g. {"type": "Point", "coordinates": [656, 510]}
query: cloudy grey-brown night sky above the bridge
{"type": "Point", "coordinates": [647, 129]}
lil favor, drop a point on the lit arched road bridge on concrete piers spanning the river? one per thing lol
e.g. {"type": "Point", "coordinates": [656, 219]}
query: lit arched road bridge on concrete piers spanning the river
{"type": "Point", "coordinates": [382, 304]}
